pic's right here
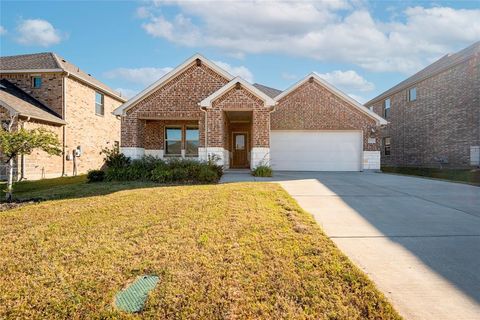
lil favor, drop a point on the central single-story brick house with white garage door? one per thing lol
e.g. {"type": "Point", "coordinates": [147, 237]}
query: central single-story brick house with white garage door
{"type": "Point", "coordinates": [198, 110]}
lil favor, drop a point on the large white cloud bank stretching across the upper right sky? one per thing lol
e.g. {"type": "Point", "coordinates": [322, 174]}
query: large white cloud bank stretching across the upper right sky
{"type": "Point", "coordinates": [339, 31]}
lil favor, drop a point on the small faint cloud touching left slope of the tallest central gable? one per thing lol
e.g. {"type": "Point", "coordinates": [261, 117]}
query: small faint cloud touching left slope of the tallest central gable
{"type": "Point", "coordinates": [138, 76]}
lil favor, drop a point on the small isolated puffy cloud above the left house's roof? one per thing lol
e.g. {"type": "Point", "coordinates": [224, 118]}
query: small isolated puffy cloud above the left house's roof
{"type": "Point", "coordinates": [38, 32]}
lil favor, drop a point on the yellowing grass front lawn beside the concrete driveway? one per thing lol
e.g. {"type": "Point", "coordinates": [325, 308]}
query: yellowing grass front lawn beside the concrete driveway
{"type": "Point", "coordinates": [234, 251]}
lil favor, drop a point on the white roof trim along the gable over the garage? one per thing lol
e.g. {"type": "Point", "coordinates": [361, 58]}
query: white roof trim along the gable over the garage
{"type": "Point", "coordinates": [335, 91]}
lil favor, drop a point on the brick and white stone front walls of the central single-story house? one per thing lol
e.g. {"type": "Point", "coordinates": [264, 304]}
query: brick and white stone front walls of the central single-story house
{"type": "Point", "coordinates": [197, 93]}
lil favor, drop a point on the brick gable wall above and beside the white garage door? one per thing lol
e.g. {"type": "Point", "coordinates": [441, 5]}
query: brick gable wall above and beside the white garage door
{"type": "Point", "coordinates": [313, 107]}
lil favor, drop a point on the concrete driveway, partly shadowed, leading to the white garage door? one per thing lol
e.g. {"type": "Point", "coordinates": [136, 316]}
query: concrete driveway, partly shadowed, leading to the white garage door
{"type": "Point", "coordinates": [417, 239]}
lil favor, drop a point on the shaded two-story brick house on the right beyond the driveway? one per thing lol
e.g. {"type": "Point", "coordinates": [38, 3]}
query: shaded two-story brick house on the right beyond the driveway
{"type": "Point", "coordinates": [434, 116]}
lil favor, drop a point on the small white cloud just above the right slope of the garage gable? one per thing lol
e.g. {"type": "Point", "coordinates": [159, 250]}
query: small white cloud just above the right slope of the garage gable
{"type": "Point", "coordinates": [347, 80]}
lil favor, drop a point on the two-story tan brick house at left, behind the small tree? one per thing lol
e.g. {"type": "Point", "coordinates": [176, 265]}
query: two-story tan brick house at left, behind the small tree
{"type": "Point", "coordinates": [46, 90]}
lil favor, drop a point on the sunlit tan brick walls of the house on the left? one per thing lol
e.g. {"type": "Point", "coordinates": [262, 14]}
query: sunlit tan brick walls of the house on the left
{"type": "Point", "coordinates": [84, 128]}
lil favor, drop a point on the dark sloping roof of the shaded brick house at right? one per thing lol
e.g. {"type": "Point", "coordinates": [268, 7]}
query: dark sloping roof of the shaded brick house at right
{"type": "Point", "coordinates": [446, 62]}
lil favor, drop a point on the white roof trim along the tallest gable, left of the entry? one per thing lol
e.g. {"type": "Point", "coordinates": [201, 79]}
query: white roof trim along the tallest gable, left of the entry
{"type": "Point", "coordinates": [163, 80]}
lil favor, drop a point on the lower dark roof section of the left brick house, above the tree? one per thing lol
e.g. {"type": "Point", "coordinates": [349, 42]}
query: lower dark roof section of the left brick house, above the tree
{"type": "Point", "coordinates": [18, 101]}
